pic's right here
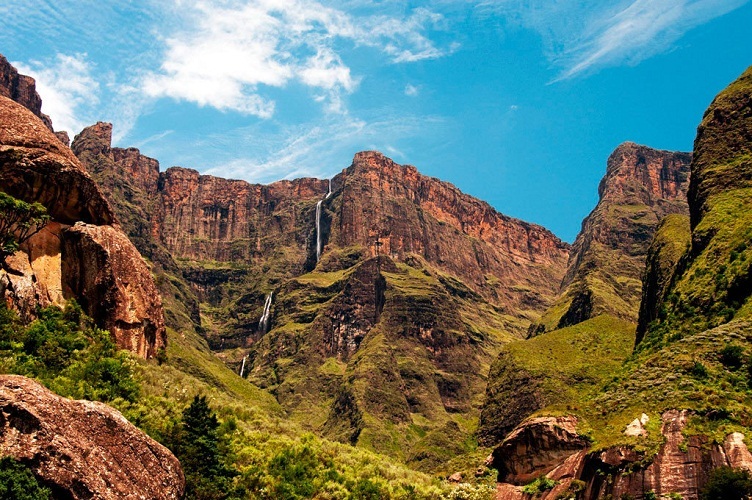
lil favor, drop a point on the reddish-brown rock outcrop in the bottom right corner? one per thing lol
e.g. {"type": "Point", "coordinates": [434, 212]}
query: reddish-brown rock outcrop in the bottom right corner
{"type": "Point", "coordinates": [550, 446]}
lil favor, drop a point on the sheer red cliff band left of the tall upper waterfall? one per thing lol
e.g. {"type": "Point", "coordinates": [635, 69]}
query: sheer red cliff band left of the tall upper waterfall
{"type": "Point", "coordinates": [209, 218]}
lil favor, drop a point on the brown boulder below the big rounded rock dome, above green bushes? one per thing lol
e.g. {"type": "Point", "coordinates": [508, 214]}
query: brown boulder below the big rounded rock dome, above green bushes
{"type": "Point", "coordinates": [103, 269]}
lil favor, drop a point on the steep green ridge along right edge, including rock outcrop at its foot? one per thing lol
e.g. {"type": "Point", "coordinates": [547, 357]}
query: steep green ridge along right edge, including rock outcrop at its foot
{"type": "Point", "coordinates": [680, 405]}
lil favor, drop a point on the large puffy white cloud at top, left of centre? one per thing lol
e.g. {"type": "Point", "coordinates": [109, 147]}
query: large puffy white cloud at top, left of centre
{"type": "Point", "coordinates": [228, 53]}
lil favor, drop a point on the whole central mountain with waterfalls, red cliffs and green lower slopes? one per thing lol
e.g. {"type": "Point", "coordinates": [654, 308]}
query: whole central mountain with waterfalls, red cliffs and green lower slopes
{"type": "Point", "coordinates": [391, 297]}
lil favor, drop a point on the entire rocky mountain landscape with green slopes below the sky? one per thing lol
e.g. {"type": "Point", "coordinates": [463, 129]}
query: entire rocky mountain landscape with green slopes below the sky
{"type": "Point", "coordinates": [379, 334]}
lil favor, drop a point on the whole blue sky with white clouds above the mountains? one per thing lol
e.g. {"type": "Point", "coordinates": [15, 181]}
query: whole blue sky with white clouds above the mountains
{"type": "Point", "coordinates": [516, 102]}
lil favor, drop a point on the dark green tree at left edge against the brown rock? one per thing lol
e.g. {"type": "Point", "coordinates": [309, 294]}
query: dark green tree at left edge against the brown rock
{"type": "Point", "coordinates": [19, 221]}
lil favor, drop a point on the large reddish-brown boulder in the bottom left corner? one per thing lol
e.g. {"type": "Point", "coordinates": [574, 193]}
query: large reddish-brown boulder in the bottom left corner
{"type": "Point", "coordinates": [82, 449]}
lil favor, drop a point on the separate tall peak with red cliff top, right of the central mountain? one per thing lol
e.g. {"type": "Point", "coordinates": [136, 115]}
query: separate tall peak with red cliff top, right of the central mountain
{"type": "Point", "coordinates": [641, 186]}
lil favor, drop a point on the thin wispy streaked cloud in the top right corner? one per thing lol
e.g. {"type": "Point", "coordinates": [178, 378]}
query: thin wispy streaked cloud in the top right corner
{"type": "Point", "coordinates": [583, 36]}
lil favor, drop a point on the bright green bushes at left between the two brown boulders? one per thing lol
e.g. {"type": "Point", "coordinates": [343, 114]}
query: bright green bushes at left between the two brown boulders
{"type": "Point", "coordinates": [67, 353]}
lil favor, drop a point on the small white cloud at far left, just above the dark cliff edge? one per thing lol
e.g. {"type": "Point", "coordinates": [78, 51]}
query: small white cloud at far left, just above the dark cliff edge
{"type": "Point", "coordinates": [68, 90]}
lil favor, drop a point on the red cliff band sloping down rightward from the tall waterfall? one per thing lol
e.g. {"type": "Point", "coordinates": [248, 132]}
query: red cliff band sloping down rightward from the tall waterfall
{"type": "Point", "coordinates": [413, 214]}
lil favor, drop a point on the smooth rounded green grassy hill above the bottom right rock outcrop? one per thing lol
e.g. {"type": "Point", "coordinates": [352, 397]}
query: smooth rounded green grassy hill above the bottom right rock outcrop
{"type": "Point", "coordinates": [557, 372]}
